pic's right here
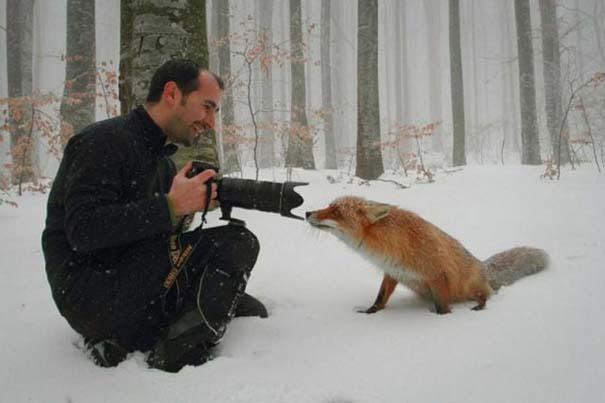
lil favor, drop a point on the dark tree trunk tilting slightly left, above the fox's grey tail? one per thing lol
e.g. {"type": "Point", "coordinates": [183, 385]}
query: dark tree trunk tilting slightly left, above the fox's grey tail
{"type": "Point", "coordinates": [530, 151]}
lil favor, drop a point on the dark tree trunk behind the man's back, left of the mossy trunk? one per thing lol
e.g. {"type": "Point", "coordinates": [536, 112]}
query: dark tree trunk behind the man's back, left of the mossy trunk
{"type": "Point", "coordinates": [79, 95]}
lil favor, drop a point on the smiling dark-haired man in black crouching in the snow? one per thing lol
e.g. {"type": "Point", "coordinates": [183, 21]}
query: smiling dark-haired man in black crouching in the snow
{"type": "Point", "coordinates": [121, 270]}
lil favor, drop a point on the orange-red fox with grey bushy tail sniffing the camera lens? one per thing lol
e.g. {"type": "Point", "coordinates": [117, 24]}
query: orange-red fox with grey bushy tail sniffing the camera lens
{"type": "Point", "coordinates": [416, 253]}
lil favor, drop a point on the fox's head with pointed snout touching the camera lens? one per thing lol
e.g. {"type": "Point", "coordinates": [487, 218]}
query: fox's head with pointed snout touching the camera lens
{"type": "Point", "coordinates": [348, 216]}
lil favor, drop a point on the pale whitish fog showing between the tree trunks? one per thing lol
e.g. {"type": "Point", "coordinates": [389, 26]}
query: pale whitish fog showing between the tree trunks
{"type": "Point", "coordinates": [413, 52]}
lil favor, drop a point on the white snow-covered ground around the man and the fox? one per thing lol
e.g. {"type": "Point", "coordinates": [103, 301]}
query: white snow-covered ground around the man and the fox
{"type": "Point", "coordinates": [539, 340]}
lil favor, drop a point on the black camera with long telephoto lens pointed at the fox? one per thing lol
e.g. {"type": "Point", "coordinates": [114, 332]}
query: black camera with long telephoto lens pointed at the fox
{"type": "Point", "coordinates": [273, 197]}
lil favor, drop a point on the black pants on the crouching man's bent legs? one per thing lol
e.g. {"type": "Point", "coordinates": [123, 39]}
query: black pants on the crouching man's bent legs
{"type": "Point", "coordinates": [201, 301]}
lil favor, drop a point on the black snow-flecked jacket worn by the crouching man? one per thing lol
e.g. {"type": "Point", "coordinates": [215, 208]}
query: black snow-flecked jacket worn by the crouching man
{"type": "Point", "coordinates": [107, 200]}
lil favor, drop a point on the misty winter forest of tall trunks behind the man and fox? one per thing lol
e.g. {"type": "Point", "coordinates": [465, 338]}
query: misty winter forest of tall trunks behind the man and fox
{"type": "Point", "coordinates": [407, 87]}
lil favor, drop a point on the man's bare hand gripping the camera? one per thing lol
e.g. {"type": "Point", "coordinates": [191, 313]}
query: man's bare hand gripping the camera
{"type": "Point", "coordinates": [188, 195]}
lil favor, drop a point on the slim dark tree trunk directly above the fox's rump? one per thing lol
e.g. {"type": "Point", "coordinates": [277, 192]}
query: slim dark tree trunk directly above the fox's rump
{"type": "Point", "coordinates": [457, 84]}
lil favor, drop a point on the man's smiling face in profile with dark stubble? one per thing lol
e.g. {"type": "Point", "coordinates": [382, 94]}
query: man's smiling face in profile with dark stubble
{"type": "Point", "coordinates": [194, 112]}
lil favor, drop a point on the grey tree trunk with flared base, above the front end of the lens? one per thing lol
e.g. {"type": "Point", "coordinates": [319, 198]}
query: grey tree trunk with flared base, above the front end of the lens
{"type": "Point", "coordinates": [300, 142]}
